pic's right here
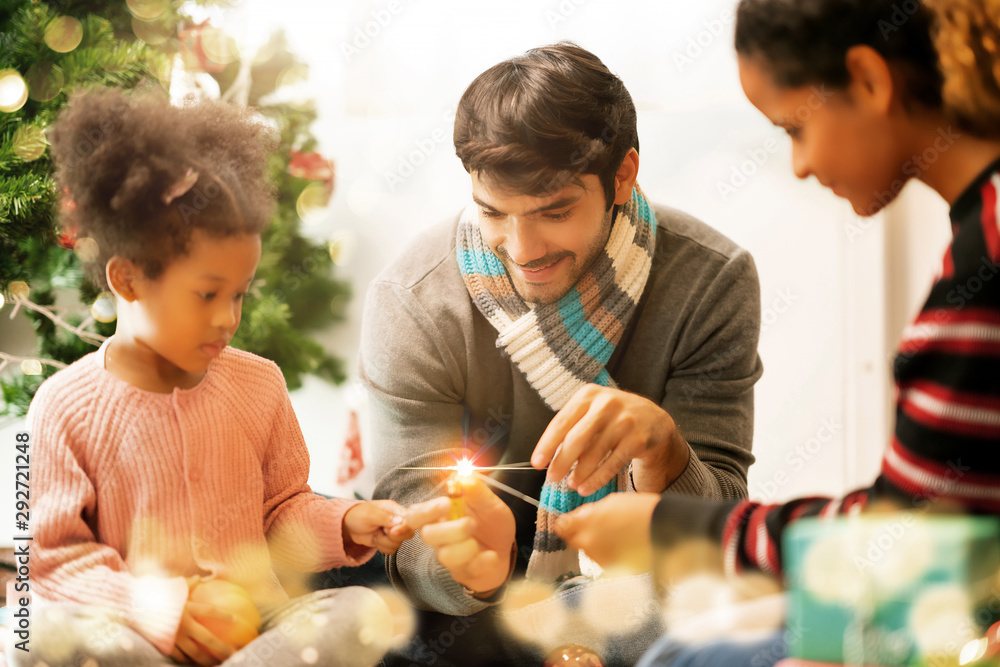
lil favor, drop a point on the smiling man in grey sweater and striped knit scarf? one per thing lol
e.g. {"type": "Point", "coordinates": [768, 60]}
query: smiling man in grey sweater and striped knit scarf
{"type": "Point", "coordinates": [562, 321]}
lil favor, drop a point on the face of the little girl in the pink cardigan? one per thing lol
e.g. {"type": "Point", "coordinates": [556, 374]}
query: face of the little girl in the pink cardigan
{"type": "Point", "coordinates": [188, 315]}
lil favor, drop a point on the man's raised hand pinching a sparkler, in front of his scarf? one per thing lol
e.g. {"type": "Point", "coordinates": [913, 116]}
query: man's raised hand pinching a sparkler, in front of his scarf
{"type": "Point", "coordinates": [602, 429]}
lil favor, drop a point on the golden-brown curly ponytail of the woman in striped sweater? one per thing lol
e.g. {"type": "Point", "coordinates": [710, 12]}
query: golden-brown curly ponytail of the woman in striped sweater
{"type": "Point", "coordinates": [967, 38]}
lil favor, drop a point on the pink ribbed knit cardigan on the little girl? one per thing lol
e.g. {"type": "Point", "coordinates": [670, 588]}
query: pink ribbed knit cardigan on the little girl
{"type": "Point", "coordinates": [131, 491]}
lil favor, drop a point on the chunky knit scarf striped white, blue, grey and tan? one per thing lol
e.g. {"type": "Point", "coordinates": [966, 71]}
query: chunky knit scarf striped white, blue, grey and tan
{"type": "Point", "coordinates": [562, 346]}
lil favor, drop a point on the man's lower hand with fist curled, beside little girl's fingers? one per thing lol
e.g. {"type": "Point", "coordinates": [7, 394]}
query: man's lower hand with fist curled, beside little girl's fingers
{"type": "Point", "coordinates": [475, 549]}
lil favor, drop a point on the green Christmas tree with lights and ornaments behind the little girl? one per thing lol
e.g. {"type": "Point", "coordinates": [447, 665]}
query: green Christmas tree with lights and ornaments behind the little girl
{"type": "Point", "coordinates": [49, 50]}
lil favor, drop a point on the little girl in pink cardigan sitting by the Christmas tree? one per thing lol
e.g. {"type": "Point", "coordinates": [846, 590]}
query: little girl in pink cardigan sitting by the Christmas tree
{"type": "Point", "coordinates": [168, 469]}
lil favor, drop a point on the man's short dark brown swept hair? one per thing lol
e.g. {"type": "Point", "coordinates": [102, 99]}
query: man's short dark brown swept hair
{"type": "Point", "coordinates": [538, 121]}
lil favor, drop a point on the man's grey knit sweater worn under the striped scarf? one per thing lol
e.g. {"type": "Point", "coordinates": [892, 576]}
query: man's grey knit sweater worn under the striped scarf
{"type": "Point", "coordinates": [427, 355]}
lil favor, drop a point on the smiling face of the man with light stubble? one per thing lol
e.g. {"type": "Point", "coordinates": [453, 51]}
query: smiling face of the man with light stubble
{"type": "Point", "coordinates": [546, 243]}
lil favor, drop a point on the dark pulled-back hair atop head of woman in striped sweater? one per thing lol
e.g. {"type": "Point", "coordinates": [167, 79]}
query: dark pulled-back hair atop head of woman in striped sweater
{"type": "Point", "coordinates": [805, 42]}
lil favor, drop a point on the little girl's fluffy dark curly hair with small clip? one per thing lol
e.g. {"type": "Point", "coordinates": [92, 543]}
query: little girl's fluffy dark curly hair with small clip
{"type": "Point", "coordinates": [118, 155]}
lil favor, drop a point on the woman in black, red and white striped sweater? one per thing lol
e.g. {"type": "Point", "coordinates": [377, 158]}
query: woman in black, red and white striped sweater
{"type": "Point", "coordinates": [883, 123]}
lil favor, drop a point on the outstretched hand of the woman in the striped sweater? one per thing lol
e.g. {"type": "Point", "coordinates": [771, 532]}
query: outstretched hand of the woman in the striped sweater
{"type": "Point", "coordinates": [613, 531]}
